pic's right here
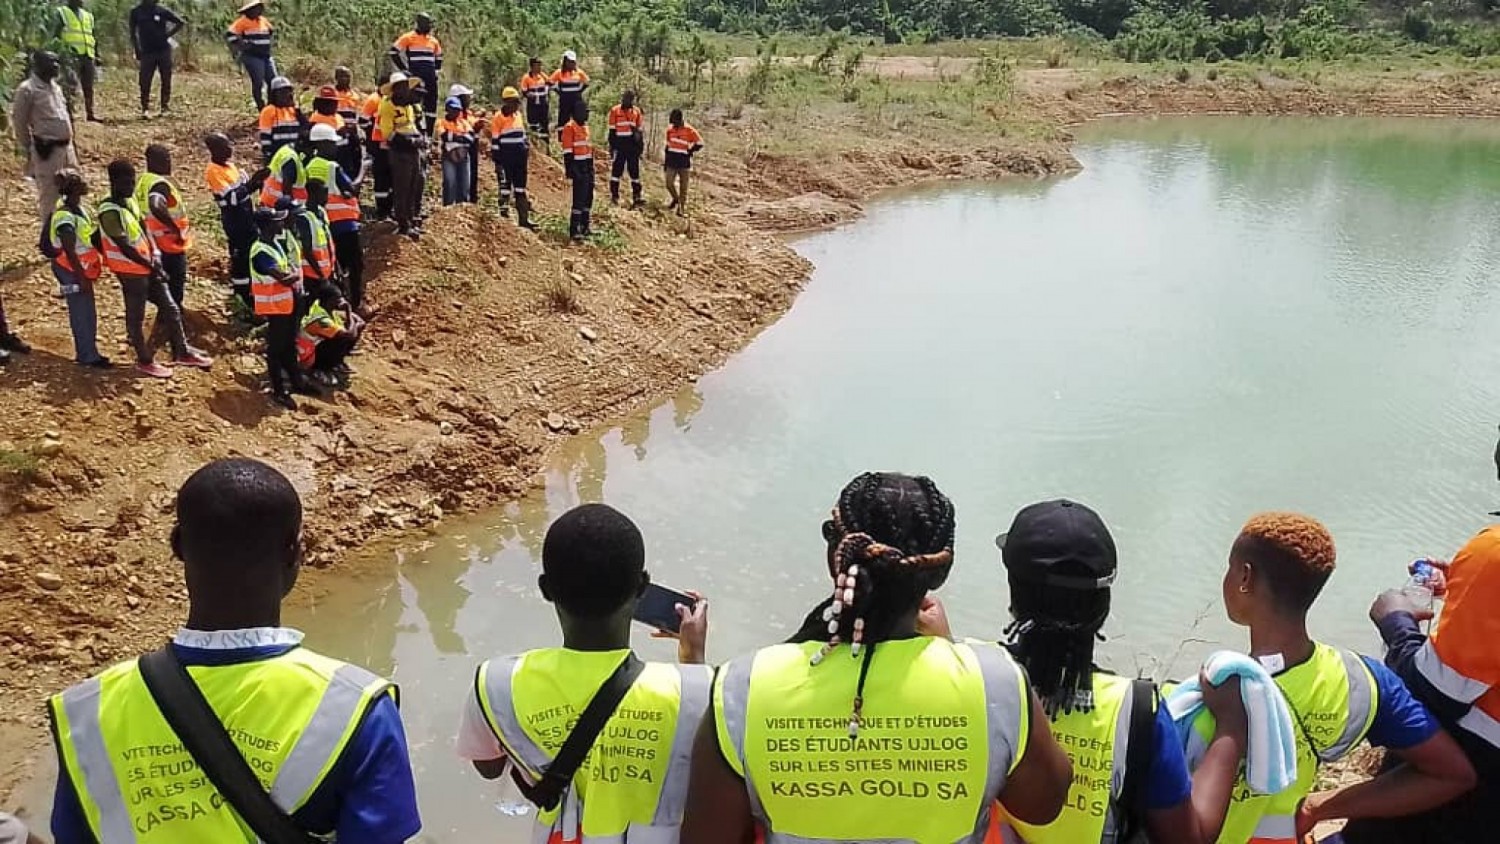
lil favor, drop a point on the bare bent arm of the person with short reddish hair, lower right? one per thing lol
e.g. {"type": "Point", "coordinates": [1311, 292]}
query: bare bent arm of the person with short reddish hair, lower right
{"type": "Point", "coordinates": [1436, 771]}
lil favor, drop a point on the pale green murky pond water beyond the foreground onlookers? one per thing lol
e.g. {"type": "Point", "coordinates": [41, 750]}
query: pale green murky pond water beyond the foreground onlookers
{"type": "Point", "coordinates": [1216, 317]}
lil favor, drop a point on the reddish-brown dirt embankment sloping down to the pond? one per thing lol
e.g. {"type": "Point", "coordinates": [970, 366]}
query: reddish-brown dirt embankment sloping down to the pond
{"type": "Point", "coordinates": [491, 346]}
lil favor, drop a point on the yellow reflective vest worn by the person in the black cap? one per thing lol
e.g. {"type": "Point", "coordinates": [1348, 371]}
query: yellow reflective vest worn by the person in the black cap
{"type": "Point", "coordinates": [1099, 749]}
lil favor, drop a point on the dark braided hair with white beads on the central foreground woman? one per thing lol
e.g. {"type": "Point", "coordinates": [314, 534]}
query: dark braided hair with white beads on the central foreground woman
{"type": "Point", "coordinates": [890, 542]}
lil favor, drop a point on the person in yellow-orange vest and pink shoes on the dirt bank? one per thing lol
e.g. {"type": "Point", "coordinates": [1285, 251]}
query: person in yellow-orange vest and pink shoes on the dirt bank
{"type": "Point", "coordinates": [136, 260]}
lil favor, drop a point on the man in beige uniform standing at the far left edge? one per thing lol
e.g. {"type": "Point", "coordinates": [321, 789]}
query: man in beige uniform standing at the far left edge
{"type": "Point", "coordinates": [44, 130]}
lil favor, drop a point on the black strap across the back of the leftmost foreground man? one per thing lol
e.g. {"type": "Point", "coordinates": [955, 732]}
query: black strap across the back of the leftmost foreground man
{"type": "Point", "coordinates": [205, 738]}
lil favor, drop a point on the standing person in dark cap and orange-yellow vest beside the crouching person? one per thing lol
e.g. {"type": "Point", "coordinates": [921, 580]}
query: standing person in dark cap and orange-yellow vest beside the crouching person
{"type": "Point", "coordinates": [275, 278]}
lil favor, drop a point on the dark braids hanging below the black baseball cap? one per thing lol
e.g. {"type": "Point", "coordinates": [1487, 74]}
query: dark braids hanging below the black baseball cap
{"type": "Point", "coordinates": [1054, 639]}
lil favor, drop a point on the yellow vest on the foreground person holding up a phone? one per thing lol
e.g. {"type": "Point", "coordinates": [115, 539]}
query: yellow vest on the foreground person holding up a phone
{"type": "Point", "coordinates": [634, 785]}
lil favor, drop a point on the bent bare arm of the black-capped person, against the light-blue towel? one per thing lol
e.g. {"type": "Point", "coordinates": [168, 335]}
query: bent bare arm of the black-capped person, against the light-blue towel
{"type": "Point", "coordinates": [1201, 819]}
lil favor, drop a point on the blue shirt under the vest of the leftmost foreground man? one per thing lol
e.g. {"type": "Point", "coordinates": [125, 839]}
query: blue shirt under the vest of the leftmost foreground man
{"type": "Point", "coordinates": [368, 797]}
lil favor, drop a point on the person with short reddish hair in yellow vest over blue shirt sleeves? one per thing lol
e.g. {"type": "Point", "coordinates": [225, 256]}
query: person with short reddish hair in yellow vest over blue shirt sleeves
{"type": "Point", "coordinates": [1277, 569]}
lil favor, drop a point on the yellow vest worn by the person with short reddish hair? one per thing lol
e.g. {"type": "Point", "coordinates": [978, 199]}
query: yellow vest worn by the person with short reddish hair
{"type": "Point", "coordinates": [1334, 699]}
